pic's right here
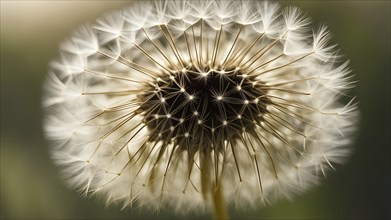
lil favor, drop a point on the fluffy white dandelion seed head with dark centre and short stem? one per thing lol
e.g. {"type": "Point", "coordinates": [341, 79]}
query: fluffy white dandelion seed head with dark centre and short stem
{"type": "Point", "coordinates": [198, 104]}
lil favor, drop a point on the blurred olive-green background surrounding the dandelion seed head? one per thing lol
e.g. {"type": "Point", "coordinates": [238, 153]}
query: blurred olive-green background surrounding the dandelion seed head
{"type": "Point", "coordinates": [32, 189]}
